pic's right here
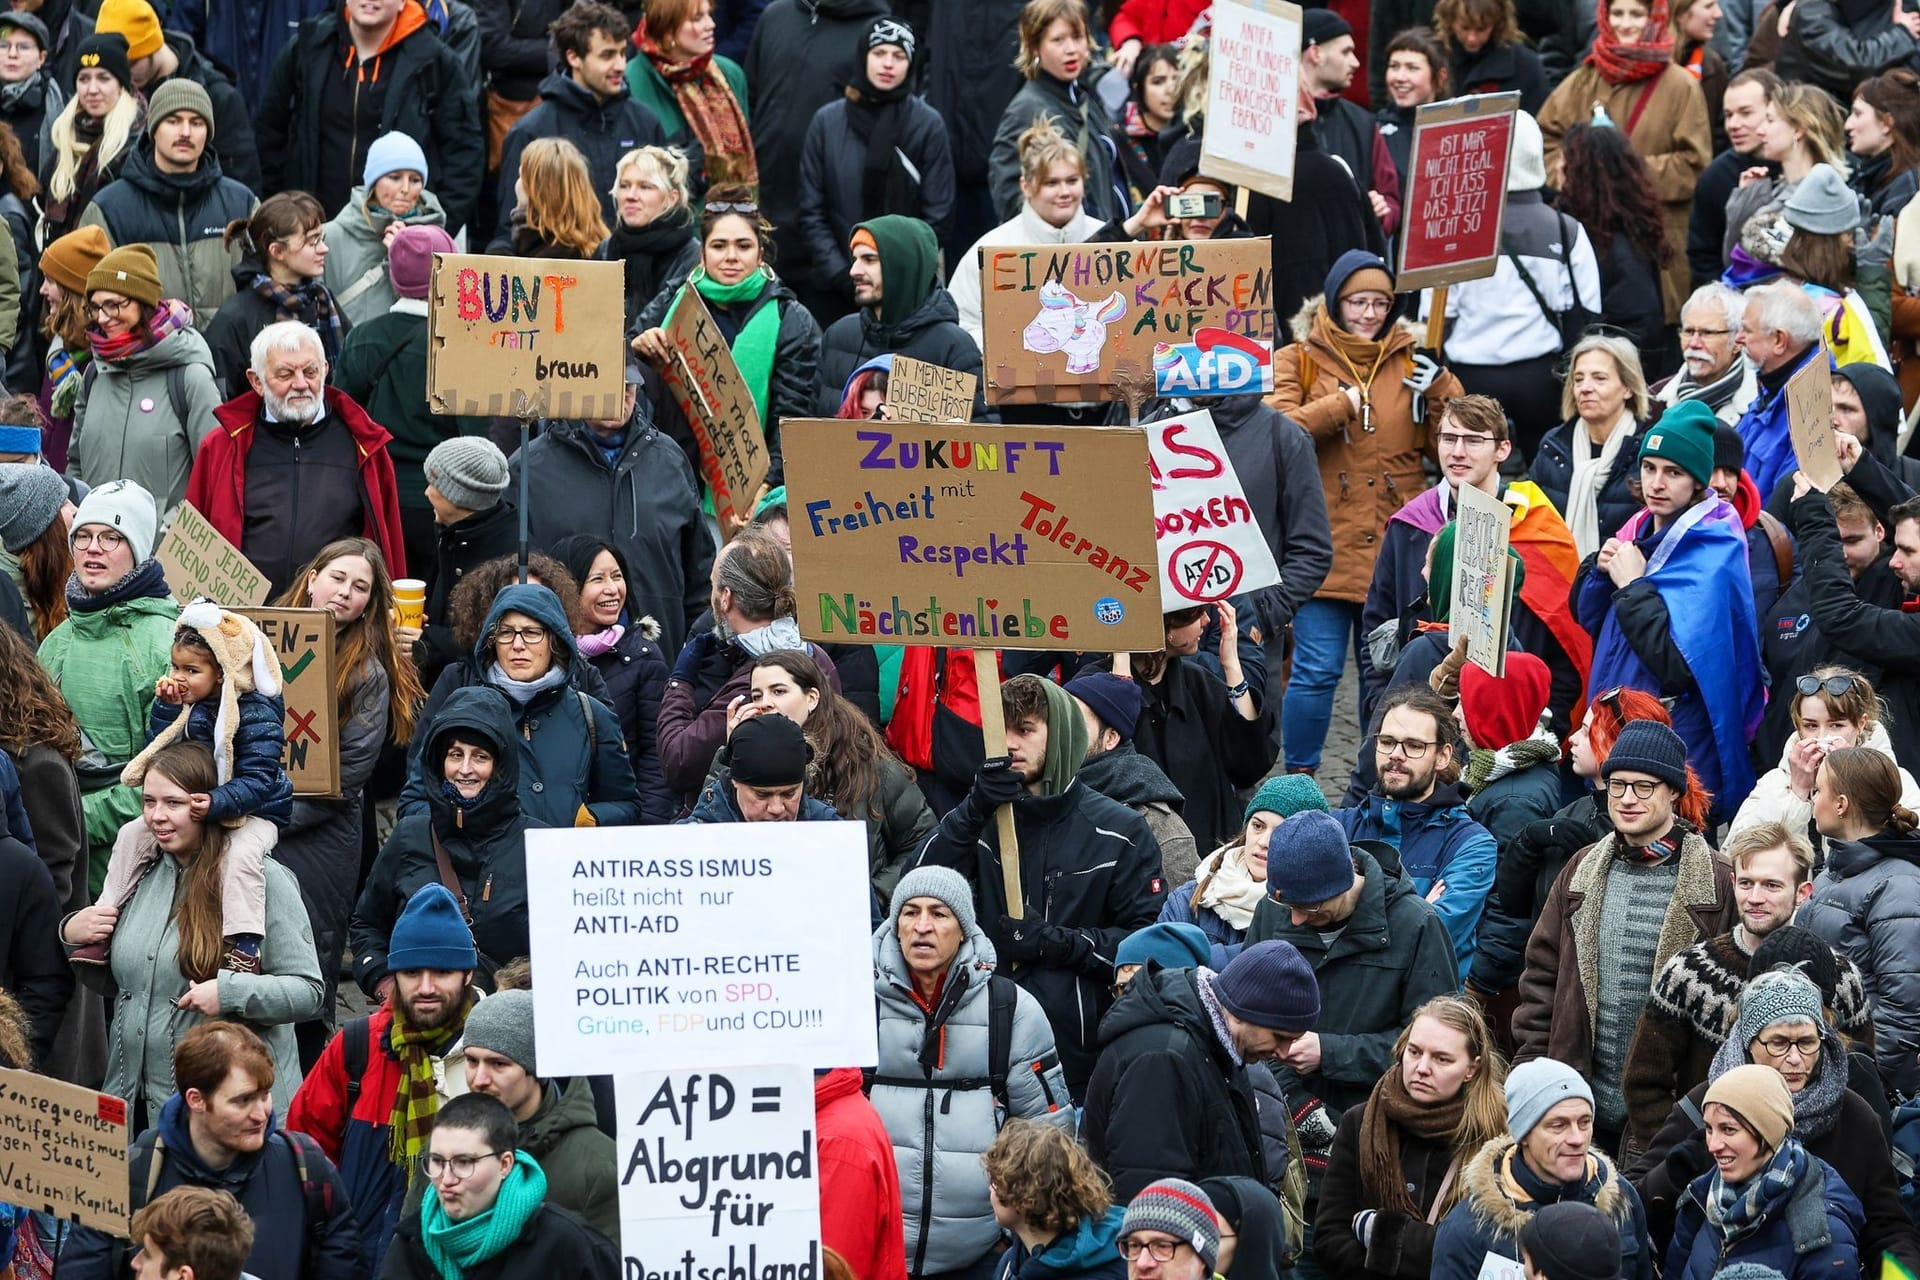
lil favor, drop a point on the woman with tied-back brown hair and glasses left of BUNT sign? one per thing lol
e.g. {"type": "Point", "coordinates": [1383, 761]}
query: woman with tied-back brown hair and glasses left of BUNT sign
{"type": "Point", "coordinates": [281, 277]}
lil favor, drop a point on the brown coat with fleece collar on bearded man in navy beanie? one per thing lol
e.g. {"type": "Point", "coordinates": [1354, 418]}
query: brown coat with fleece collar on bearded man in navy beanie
{"type": "Point", "coordinates": [1556, 1016]}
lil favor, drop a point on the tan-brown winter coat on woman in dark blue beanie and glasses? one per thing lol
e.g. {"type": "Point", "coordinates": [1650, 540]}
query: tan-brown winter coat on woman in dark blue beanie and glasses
{"type": "Point", "coordinates": [1368, 475]}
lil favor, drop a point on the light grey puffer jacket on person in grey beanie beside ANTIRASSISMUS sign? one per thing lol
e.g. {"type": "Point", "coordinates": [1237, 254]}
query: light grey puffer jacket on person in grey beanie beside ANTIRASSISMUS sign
{"type": "Point", "coordinates": [932, 1095]}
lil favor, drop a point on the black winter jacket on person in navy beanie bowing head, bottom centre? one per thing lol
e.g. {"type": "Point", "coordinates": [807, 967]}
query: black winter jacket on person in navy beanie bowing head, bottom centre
{"type": "Point", "coordinates": [1166, 1099]}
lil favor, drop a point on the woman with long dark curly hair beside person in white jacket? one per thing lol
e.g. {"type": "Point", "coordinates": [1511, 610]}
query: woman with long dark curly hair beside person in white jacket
{"type": "Point", "coordinates": [1604, 183]}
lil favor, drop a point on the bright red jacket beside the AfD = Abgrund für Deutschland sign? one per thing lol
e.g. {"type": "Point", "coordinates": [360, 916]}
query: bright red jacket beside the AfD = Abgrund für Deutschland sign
{"type": "Point", "coordinates": [859, 1181]}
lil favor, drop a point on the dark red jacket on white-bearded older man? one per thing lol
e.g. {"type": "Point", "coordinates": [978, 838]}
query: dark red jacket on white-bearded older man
{"type": "Point", "coordinates": [218, 483]}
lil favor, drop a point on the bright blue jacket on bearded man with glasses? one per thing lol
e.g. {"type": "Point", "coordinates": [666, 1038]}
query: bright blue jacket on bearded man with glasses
{"type": "Point", "coordinates": [1437, 841]}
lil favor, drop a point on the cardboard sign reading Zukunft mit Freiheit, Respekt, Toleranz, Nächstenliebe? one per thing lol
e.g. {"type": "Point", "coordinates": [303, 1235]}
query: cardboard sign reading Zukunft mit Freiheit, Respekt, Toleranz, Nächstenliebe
{"type": "Point", "coordinates": [980, 538]}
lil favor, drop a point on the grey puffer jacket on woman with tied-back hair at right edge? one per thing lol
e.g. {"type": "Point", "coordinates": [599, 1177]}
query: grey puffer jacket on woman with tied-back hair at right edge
{"type": "Point", "coordinates": [1867, 907]}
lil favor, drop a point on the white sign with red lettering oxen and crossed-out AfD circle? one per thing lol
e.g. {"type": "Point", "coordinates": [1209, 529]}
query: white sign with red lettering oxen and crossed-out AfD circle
{"type": "Point", "coordinates": [1211, 544]}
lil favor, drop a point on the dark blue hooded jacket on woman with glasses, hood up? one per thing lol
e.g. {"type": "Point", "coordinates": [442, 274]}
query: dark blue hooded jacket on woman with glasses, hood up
{"type": "Point", "coordinates": [573, 772]}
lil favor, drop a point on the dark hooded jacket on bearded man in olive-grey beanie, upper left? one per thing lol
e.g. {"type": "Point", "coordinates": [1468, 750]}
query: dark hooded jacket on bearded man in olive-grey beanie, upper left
{"type": "Point", "coordinates": [183, 218]}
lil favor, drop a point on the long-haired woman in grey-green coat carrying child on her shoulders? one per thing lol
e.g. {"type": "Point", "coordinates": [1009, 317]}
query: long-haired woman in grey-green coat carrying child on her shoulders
{"type": "Point", "coordinates": [166, 947]}
